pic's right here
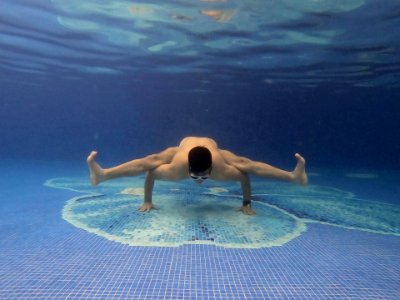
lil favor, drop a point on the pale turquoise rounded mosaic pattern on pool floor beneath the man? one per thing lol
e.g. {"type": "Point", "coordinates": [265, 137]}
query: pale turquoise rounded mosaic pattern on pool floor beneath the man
{"type": "Point", "coordinates": [192, 214]}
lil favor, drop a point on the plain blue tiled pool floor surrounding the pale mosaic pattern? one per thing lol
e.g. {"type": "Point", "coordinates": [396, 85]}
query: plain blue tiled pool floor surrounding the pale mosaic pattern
{"type": "Point", "coordinates": [43, 256]}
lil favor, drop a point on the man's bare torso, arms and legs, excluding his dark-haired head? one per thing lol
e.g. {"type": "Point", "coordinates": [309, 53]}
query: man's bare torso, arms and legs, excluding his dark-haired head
{"type": "Point", "coordinates": [172, 164]}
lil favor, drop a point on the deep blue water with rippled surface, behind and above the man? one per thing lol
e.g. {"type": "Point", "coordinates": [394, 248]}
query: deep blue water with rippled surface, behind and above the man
{"type": "Point", "coordinates": [320, 78]}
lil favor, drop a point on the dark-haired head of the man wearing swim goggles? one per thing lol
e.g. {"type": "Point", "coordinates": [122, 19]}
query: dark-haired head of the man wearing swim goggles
{"type": "Point", "coordinates": [200, 162]}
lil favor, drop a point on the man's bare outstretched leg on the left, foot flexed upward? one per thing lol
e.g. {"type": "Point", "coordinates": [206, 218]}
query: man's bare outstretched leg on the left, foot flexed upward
{"type": "Point", "coordinates": [131, 168]}
